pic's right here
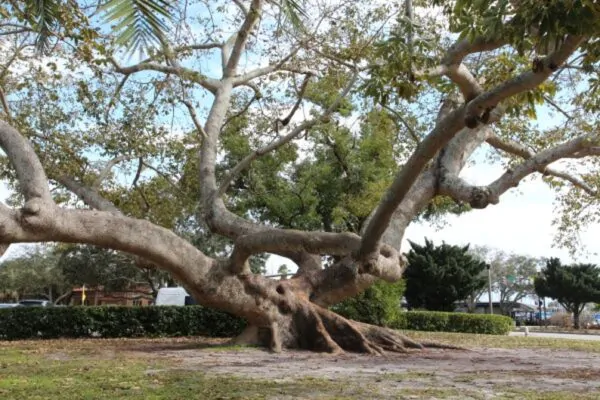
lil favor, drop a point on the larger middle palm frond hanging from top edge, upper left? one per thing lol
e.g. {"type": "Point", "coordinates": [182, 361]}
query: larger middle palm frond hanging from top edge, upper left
{"type": "Point", "coordinates": [141, 24]}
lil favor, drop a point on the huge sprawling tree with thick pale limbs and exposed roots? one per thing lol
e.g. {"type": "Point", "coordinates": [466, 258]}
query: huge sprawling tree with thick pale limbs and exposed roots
{"type": "Point", "coordinates": [119, 152]}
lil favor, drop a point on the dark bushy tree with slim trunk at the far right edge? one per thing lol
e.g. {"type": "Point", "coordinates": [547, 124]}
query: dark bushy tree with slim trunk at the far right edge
{"type": "Point", "coordinates": [573, 286]}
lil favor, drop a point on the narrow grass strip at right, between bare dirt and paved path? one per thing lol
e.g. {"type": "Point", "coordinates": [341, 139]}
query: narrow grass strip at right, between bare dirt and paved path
{"type": "Point", "coordinates": [506, 342]}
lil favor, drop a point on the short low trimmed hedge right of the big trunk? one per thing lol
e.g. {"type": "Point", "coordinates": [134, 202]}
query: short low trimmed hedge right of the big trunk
{"type": "Point", "coordinates": [436, 321]}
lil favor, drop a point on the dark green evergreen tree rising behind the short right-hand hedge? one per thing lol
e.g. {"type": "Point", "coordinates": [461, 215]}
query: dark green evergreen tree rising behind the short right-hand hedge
{"type": "Point", "coordinates": [438, 276]}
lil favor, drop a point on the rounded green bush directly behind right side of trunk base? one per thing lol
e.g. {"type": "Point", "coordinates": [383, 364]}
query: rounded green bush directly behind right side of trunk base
{"type": "Point", "coordinates": [379, 304]}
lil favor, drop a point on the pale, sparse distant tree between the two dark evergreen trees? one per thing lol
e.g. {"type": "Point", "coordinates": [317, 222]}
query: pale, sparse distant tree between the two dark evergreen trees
{"type": "Point", "coordinates": [512, 275]}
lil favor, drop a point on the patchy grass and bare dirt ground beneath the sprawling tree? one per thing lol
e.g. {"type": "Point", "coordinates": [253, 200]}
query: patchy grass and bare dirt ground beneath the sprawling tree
{"type": "Point", "coordinates": [183, 369]}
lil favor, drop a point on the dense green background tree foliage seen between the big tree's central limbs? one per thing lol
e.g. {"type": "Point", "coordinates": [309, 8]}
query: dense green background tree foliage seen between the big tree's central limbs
{"type": "Point", "coordinates": [333, 190]}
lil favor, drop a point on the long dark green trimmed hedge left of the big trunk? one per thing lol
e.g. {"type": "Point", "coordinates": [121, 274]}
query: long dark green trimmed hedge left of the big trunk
{"type": "Point", "coordinates": [110, 322]}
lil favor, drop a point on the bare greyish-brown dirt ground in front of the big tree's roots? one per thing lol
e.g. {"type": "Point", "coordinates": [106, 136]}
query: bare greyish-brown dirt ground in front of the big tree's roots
{"type": "Point", "coordinates": [433, 374]}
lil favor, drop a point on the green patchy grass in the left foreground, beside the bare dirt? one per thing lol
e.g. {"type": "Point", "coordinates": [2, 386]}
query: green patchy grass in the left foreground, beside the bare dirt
{"type": "Point", "coordinates": [105, 369]}
